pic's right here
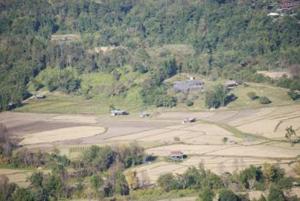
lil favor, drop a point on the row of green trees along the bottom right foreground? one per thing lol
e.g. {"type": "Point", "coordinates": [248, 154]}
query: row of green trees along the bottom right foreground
{"type": "Point", "coordinates": [269, 177]}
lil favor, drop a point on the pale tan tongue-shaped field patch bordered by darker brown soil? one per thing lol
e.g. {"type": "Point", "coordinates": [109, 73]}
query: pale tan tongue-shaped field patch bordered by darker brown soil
{"type": "Point", "coordinates": [62, 134]}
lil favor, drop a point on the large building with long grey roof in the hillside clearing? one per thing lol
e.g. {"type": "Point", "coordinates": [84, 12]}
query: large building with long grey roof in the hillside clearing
{"type": "Point", "coordinates": [188, 85]}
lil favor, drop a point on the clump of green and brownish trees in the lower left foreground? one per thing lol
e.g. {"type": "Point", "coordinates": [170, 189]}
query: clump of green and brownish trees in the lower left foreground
{"type": "Point", "coordinates": [100, 168]}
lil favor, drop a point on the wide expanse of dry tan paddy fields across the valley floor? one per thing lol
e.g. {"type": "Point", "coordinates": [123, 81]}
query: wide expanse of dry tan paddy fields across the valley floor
{"type": "Point", "coordinates": [254, 136]}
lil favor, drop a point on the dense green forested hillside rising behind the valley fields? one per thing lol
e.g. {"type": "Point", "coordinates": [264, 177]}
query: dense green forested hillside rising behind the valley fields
{"type": "Point", "coordinates": [220, 38]}
